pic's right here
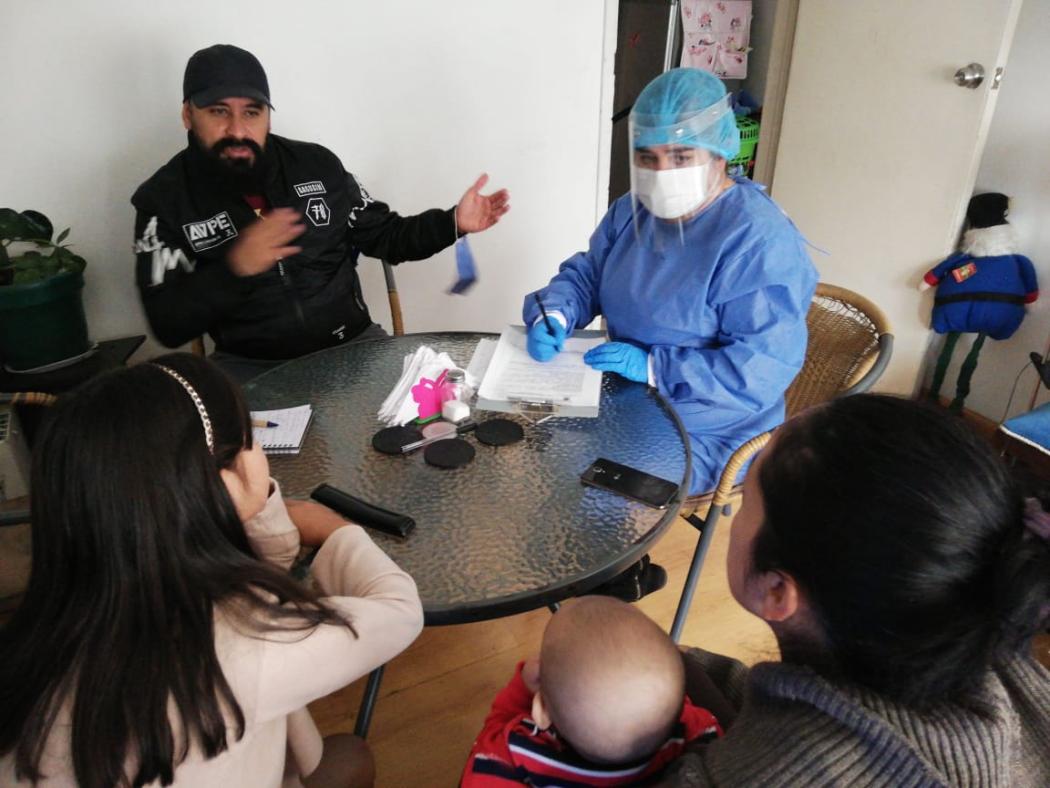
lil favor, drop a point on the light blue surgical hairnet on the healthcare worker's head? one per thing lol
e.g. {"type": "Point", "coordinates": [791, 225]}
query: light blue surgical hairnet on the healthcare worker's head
{"type": "Point", "coordinates": [669, 111]}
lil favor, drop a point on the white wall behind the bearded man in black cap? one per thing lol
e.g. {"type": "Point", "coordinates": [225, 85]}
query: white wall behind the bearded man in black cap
{"type": "Point", "coordinates": [416, 97]}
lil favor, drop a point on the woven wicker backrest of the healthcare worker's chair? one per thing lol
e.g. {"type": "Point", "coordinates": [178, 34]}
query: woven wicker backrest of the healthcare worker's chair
{"type": "Point", "coordinates": [850, 345]}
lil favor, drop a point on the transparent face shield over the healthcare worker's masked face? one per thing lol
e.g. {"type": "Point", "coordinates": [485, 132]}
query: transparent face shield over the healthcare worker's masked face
{"type": "Point", "coordinates": [674, 174]}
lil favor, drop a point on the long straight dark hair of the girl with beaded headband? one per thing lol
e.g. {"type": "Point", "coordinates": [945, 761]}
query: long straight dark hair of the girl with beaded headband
{"type": "Point", "coordinates": [135, 543]}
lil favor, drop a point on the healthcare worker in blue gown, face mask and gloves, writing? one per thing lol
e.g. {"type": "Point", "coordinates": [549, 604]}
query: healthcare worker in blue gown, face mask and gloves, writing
{"type": "Point", "coordinates": [703, 280]}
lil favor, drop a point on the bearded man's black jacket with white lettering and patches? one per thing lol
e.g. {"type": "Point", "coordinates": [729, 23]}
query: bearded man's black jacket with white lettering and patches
{"type": "Point", "coordinates": [188, 219]}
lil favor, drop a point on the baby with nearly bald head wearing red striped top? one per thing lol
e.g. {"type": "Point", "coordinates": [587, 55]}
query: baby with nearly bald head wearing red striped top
{"type": "Point", "coordinates": [605, 704]}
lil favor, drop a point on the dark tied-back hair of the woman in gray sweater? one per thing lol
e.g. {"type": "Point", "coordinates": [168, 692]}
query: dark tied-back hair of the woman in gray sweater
{"type": "Point", "coordinates": [906, 532]}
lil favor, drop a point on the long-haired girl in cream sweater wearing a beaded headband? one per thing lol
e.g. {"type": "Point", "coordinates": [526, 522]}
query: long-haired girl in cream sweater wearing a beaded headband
{"type": "Point", "coordinates": [161, 640]}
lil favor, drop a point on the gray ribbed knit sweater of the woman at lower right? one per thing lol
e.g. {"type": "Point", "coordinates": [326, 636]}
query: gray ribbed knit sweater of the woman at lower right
{"type": "Point", "coordinates": [795, 729]}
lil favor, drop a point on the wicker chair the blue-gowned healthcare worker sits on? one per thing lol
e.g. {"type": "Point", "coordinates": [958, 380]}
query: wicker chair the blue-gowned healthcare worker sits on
{"type": "Point", "coordinates": [849, 348]}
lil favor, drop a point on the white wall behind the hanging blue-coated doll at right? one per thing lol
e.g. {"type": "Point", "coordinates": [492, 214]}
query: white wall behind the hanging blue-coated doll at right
{"type": "Point", "coordinates": [1017, 162]}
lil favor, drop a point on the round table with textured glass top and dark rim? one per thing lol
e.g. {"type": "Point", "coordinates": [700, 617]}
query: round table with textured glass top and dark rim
{"type": "Point", "coordinates": [513, 531]}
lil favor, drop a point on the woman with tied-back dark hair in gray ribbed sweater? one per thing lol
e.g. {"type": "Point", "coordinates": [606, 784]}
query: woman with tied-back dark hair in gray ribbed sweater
{"type": "Point", "coordinates": [905, 576]}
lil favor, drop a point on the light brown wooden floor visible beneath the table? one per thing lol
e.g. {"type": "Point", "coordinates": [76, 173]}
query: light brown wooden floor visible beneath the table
{"type": "Point", "coordinates": [436, 695]}
